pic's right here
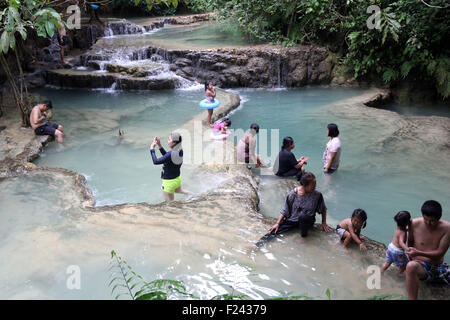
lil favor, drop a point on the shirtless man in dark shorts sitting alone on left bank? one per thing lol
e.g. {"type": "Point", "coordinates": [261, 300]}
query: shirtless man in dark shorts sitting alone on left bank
{"type": "Point", "coordinates": [41, 126]}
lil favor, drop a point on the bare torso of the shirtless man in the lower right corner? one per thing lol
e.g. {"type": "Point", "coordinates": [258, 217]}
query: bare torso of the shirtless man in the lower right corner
{"type": "Point", "coordinates": [426, 239]}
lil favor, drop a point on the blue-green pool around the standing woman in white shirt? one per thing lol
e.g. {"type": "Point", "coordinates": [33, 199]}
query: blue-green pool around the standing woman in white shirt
{"type": "Point", "coordinates": [381, 170]}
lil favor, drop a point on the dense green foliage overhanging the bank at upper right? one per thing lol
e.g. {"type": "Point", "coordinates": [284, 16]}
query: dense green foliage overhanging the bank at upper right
{"type": "Point", "coordinates": [408, 45]}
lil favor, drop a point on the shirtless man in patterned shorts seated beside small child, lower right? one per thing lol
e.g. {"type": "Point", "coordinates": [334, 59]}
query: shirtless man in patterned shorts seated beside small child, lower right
{"type": "Point", "coordinates": [428, 241]}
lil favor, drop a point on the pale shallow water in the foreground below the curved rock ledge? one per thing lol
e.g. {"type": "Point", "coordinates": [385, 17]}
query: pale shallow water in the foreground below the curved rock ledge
{"type": "Point", "coordinates": [204, 248]}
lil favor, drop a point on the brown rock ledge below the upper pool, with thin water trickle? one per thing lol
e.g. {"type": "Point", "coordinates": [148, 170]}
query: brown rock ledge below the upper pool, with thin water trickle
{"type": "Point", "coordinates": [255, 67]}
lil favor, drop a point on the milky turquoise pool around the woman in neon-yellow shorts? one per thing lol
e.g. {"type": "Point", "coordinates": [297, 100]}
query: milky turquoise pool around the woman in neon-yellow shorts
{"type": "Point", "coordinates": [121, 170]}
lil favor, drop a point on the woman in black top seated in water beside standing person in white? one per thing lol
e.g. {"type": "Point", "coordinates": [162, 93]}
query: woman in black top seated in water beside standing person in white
{"type": "Point", "coordinates": [286, 165]}
